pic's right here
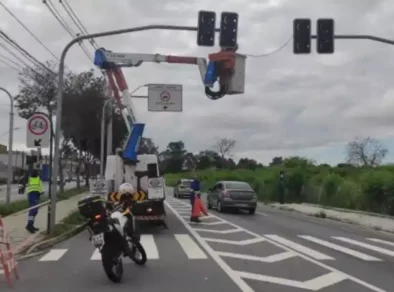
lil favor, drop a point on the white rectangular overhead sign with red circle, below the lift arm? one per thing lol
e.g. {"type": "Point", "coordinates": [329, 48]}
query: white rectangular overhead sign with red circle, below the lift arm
{"type": "Point", "coordinates": [165, 98]}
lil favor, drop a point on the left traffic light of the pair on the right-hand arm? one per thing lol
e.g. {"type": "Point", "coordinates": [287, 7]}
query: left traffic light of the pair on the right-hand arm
{"type": "Point", "coordinates": [302, 36]}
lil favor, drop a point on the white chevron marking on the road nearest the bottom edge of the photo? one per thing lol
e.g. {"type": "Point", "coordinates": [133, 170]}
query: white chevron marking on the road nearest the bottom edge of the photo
{"type": "Point", "coordinates": [314, 285]}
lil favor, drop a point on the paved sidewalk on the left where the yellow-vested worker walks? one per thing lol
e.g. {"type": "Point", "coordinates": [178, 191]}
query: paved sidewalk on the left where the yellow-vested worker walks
{"type": "Point", "coordinates": [15, 224]}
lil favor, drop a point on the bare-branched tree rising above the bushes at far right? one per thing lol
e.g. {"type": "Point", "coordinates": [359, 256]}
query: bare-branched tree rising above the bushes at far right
{"type": "Point", "coordinates": [367, 152]}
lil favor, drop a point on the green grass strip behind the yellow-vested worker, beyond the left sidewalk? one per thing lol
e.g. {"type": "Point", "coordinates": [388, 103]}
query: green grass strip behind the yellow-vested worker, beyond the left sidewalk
{"type": "Point", "coordinates": [13, 207]}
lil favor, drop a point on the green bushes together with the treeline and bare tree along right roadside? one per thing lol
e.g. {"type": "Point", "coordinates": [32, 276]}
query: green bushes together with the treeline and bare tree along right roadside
{"type": "Point", "coordinates": [360, 184]}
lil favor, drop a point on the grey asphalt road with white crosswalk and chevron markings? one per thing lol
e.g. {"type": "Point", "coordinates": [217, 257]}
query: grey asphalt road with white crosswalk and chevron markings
{"type": "Point", "coordinates": [274, 250]}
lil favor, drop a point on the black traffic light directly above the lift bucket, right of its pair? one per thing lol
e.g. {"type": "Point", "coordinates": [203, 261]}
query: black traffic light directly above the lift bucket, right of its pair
{"type": "Point", "coordinates": [228, 30]}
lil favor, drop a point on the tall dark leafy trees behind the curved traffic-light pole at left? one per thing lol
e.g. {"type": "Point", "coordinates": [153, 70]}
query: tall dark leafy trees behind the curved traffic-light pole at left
{"type": "Point", "coordinates": [84, 97]}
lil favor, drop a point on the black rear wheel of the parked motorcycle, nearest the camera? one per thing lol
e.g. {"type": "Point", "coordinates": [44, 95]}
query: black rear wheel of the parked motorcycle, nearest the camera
{"type": "Point", "coordinates": [112, 264]}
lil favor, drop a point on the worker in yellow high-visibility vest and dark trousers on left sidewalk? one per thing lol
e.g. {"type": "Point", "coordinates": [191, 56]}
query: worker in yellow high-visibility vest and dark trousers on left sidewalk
{"type": "Point", "coordinates": [34, 189]}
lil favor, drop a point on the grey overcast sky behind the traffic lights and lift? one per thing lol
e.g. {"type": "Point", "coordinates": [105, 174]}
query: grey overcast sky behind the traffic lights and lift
{"type": "Point", "coordinates": [293, 105]}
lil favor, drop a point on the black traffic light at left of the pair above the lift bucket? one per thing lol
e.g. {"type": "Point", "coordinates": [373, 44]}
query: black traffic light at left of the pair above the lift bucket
{"type": "Point", "coordinates": [206, 28]}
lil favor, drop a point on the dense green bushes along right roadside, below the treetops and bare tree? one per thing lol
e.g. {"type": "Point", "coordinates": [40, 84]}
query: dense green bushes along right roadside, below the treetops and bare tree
{"type": "Point", "coordinates": [342, 187]}
